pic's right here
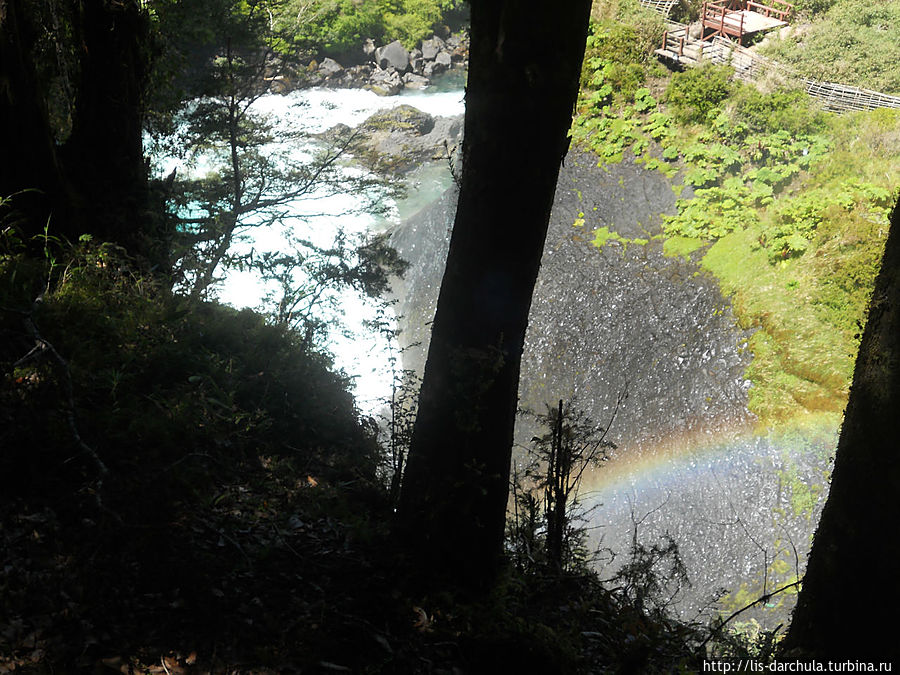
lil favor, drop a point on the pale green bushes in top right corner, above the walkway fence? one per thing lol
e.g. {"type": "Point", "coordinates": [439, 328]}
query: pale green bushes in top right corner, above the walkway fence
{"type": "Point", "coordinates": [851, 42]}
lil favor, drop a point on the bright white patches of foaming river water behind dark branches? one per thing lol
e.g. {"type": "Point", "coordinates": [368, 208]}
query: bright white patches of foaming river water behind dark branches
{"type": "Point", "coordinates": [320, 215]}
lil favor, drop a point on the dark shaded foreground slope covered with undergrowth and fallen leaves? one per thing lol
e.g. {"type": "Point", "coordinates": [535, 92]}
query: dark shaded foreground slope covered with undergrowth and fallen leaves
{"type": "Point", "coordinates": [188, 487]}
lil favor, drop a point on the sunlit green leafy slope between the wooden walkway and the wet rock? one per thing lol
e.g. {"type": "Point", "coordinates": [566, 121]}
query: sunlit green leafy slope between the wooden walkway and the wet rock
{"type": "Point", "coordinates": [794, 201]}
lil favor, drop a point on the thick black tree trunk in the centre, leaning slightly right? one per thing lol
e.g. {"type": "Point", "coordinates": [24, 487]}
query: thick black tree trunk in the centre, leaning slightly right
{"type": "Point", "coordinates": [525, 61]}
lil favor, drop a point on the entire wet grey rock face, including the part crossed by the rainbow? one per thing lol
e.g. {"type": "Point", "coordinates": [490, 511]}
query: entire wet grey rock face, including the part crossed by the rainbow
{"type": "Point", "coordinates": [627, 315]}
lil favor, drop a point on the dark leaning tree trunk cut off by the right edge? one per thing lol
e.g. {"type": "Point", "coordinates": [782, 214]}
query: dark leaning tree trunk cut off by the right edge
{"type": "Point", "coordinates": [851, 590]}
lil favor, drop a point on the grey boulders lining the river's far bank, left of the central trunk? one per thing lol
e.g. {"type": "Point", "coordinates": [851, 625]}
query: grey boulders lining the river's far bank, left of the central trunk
{"type": "Point", "coordinates": [385, 70]}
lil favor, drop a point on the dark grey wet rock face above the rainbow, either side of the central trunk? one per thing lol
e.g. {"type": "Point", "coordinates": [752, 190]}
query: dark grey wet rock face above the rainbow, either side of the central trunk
{"type": "Point", "coordinates": [604, 320]}
